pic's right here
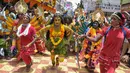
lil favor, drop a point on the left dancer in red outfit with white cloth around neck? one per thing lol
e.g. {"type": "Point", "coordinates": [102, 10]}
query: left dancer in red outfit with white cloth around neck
{"type": "Point", "coordinates": [26, 33]}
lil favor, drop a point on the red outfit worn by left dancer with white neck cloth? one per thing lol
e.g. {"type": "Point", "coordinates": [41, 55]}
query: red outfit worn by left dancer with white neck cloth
{"type": "Point", "coordinates": [25, 40]}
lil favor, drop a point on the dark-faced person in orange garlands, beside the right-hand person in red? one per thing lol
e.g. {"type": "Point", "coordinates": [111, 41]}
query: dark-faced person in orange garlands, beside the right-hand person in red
{"type": "Point", "coordinates": [93, 48]}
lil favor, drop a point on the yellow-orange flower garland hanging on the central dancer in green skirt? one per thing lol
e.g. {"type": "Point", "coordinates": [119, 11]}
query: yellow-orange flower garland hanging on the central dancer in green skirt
{"type": "Point", "coordinates": [53, 34]}
